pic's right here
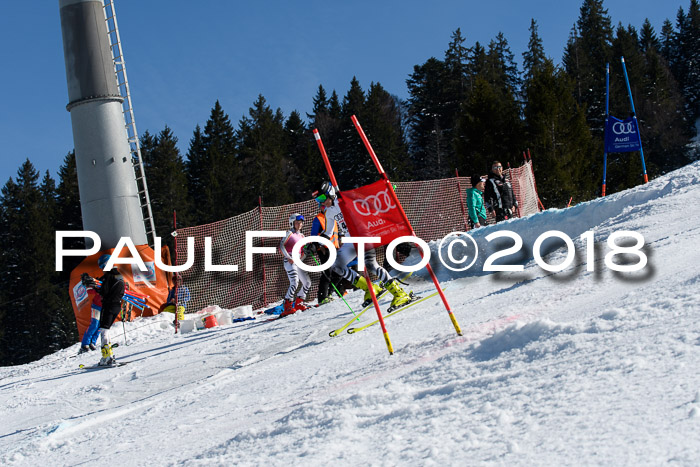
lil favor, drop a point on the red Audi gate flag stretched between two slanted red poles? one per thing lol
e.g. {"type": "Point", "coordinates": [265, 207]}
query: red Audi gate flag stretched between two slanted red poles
{"type": "Point", "coordinates": [370, 211]}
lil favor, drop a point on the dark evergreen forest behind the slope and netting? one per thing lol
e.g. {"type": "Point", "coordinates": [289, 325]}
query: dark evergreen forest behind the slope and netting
{"type": "Point", "coordinates": [466, 107]}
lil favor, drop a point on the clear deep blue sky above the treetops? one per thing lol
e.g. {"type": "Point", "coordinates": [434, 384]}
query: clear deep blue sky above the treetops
{"type": "Point", "coordinates": [182, 56]}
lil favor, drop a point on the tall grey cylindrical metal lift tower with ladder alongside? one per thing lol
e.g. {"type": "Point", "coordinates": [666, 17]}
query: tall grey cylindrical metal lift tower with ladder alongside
{"type": "Point", "coordinates": [107, 156]}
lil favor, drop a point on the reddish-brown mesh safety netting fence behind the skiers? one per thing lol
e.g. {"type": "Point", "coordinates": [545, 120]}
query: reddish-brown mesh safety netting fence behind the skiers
{"type": "Point", "coordinates": [434, 207]}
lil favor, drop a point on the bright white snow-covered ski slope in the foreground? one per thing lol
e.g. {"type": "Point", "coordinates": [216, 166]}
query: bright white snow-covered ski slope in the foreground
{"type": "Point", "coordinates": [571, 368]}
